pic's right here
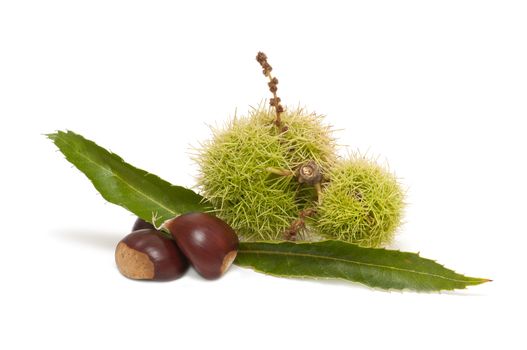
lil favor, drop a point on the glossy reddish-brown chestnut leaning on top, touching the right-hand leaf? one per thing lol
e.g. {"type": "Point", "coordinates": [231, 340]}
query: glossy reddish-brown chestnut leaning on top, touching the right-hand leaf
{"type": "Point", "coordinates": [208, 242]}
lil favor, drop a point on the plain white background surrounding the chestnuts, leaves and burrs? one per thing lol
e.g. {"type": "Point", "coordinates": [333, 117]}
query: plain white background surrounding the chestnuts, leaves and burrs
{"type": "Point", "coordinates": [436, 89]}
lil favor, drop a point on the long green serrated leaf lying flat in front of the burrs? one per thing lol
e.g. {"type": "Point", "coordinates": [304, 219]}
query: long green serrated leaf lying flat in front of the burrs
{"type": "Point", "coordinates": [378, 268]}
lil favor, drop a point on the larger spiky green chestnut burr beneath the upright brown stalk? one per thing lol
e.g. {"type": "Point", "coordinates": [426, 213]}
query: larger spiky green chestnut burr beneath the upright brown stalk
{"type": "Point", "coordinates": [234, 169]}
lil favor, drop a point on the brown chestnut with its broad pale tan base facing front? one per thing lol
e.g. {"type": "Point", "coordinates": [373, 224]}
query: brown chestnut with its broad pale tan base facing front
{"type": "Point", "coordinates": [149, 255]}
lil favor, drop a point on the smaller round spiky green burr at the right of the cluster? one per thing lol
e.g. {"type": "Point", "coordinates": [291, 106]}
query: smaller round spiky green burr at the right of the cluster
{"type": "Point", "coordinates": [362, 203]}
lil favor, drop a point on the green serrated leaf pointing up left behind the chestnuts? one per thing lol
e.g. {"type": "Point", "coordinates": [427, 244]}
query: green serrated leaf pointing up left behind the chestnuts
{"type": "Point", "coordinates": [142, 193]}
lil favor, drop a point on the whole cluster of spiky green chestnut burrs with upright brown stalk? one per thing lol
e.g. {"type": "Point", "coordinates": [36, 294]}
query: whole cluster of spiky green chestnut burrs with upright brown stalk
{"type": "Point", "coordinates": [274, 174]}
